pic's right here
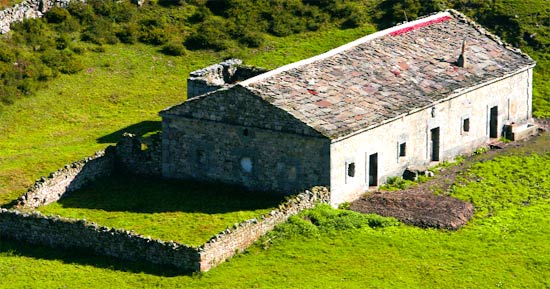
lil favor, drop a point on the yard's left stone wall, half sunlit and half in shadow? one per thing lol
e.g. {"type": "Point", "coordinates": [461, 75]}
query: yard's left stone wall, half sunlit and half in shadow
{"type": "Point", "coordinates": [69, 178]}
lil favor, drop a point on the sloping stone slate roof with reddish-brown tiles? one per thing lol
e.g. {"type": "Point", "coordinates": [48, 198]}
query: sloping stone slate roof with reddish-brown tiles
{"type": "Point", "coordinates": [394, 72]}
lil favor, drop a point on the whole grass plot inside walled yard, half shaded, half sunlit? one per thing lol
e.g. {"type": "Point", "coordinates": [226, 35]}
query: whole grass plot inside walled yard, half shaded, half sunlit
{"type": "Point", "coordinates": [168, 210]}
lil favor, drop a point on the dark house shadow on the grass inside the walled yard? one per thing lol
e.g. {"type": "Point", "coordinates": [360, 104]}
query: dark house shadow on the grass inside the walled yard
{"type": "Point", "coordinates": [152, 195]}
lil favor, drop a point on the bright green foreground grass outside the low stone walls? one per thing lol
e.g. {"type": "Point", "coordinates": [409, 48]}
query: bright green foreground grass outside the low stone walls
{"type": "Point", "coordinates": [504, 246]}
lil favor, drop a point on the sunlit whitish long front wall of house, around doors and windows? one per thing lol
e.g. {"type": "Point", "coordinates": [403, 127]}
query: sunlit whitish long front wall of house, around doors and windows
{"type": "Point", "coordinates": [512, 96]}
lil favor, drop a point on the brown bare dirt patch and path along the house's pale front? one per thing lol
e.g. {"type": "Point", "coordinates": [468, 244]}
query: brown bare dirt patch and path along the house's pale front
{"type": "Point", "coordinates": [420, 206]}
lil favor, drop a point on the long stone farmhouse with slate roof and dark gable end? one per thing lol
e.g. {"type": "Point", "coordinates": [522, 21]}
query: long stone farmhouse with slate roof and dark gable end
{"type": "Point", "coordinates": [411, 95]}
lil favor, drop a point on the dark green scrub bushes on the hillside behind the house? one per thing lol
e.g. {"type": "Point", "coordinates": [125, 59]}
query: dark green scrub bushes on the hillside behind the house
{"type": "Point", "coordinates": [39, 50]}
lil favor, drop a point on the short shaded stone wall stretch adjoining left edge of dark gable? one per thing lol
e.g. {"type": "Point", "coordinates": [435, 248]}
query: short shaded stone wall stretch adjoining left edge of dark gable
{"type": "Point", "coordinates": [139, 156]}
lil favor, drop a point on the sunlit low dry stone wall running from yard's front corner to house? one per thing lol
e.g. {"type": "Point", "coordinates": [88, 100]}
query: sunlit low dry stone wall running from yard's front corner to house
{"type": "Point", "coordinates": [226, 244]}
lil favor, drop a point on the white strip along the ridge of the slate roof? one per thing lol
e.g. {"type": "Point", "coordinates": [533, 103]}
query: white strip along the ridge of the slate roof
{"type": "Point", "coordinates": [346, 46]}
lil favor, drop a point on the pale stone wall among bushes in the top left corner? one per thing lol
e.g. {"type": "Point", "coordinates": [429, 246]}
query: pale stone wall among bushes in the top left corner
{"type": "Point", "coordinates": [27, 9]}
